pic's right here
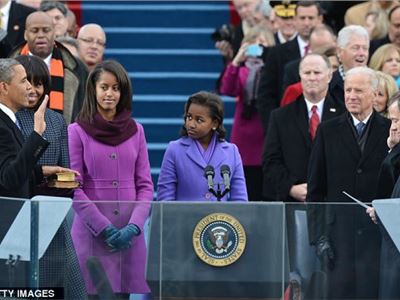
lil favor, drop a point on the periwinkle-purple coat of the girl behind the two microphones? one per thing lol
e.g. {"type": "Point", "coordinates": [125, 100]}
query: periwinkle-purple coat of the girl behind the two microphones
{"type": "Point", "coordinates": [182, 172]}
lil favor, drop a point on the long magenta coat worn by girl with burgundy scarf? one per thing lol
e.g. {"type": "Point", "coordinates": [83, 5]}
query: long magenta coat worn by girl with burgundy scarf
{"type": "Point", "coordinates": [118, 177]}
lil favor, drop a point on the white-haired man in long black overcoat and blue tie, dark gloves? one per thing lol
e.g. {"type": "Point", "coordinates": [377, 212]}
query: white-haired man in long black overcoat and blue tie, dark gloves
{"type": "Point", "coordinates": [346, 156]}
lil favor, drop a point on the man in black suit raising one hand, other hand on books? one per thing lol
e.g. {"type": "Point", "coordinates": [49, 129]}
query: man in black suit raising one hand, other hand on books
{"type": "Point", "coordinates": [19, 172]}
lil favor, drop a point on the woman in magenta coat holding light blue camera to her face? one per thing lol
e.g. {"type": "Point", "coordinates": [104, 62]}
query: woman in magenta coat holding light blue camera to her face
{"type": "Point", "coordinates": [240, 80]}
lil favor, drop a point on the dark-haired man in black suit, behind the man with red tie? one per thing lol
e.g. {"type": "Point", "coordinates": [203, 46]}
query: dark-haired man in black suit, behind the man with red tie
{"type": "Point", "coordinates": [308, 15]}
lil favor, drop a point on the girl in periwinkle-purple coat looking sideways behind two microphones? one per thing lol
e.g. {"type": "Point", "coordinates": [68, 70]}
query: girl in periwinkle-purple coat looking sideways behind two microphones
{"type": "Point", "coordinates": [201, 151]}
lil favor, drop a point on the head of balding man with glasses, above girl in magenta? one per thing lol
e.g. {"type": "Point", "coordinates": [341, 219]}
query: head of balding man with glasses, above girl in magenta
{"type": "Point", "coordinates": [92, 42]}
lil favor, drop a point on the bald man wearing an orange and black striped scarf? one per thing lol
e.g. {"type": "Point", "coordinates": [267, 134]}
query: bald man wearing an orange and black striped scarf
{"type": "Point", "coordinates": [68, 76]}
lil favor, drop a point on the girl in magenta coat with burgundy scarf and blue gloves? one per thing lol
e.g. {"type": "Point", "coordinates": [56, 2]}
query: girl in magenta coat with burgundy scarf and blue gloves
{"type": "Point", "coordinates": [109, 150]}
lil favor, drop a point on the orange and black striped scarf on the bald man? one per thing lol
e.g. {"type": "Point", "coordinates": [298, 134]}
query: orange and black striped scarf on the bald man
{"type": "Point", "coordinates": [56, 101]}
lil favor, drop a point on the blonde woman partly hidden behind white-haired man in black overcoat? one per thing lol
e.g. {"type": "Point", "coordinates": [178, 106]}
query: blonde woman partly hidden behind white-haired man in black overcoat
{"type": "Point", "coordinates": [387, 87]}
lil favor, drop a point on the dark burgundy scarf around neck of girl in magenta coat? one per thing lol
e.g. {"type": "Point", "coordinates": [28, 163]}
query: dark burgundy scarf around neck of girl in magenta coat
{"type": "Point", "coordinates": [114, 132]}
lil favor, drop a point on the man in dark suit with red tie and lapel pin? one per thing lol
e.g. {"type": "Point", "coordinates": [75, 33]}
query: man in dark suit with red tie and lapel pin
{"type": "Point", "coordinates": [287, 151]}
